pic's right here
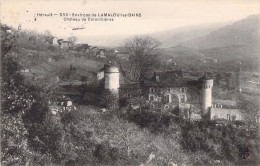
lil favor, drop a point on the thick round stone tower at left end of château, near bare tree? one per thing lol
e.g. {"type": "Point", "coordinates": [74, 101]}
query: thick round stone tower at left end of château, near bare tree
{"type": "Point", "coordinates": [111, 74]}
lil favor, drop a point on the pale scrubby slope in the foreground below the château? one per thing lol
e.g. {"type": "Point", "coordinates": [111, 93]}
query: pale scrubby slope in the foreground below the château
{"type": "Point", "coordinates": [107, 127]}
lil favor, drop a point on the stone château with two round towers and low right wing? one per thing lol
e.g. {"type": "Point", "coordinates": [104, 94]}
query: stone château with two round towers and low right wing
{"type": "Point", "coordinates": [172, 90]}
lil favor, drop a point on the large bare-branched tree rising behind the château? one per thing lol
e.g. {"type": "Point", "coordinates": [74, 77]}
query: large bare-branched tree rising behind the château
{"type": "Point", "coordinates": [142, 57]}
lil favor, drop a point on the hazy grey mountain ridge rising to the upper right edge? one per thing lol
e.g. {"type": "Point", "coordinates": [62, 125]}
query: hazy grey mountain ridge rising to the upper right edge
{"type": "Point", "coordinates": [242, 32]}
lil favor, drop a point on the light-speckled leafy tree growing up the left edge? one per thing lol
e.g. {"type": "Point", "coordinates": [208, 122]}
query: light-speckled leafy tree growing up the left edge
{"type": "Point", "coordinates": [15, 101]}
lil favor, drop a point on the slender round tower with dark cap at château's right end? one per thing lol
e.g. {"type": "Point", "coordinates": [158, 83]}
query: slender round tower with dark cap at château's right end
{"type": "Point", "coordinates": [206, 84]}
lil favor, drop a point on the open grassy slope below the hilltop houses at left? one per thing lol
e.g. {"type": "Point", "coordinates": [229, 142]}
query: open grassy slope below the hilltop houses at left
{"type": "Point", "coordinates": [37, 62]}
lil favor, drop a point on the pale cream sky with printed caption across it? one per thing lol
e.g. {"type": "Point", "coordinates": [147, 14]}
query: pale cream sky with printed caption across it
{"type": "Point", "coordinates": [155, 15]}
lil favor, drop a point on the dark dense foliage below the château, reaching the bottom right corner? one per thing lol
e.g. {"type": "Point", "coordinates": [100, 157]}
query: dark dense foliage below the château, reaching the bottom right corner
{"type": "Point", "coordinates": [208, 143]}
